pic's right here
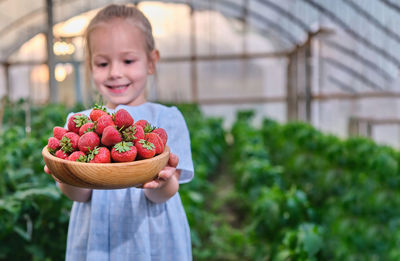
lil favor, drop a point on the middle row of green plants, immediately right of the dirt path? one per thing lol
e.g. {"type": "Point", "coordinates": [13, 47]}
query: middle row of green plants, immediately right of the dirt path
{"type": "Point", "coordinates": [279, 223]}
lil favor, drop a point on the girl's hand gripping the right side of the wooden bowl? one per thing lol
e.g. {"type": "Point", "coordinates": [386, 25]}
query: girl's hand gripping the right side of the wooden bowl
{"type": "Point", "coordinates": [165, 174]}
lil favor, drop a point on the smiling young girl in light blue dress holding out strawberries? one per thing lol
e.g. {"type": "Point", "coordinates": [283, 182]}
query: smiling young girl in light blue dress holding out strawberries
{"type": "Point", "coordinates": [132, 223]}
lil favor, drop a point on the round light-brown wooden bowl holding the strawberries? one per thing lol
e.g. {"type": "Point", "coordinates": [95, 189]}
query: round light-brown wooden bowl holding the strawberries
{"type": "Point", "coordinates": [106, 175]}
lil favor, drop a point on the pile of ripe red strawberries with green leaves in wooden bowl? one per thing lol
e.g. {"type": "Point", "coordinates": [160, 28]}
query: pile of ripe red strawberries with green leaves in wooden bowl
{"type": "Point", "coordinates": [106, 138]}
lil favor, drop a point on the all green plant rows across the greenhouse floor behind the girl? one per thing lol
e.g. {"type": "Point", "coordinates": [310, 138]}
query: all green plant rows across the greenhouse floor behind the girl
{"type": "Point", "coordinates": [279, 192]}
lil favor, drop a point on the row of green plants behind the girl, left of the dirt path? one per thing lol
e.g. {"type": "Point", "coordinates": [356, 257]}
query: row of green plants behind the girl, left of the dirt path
{"type": "Point", "coordinates": [34, 214]}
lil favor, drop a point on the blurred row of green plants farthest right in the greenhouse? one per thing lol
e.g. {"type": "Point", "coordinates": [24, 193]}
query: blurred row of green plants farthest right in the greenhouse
{"type": "Point", "coordinates": [352, 187]}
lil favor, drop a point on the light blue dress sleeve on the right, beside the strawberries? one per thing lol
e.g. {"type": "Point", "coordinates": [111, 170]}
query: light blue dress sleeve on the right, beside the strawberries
{"type": "Point", "coordinates": [179, 141]}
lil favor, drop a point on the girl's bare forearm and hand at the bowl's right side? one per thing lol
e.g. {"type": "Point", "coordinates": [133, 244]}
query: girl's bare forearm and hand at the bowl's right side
{"type": "Point", "coordinates": [166, 185]}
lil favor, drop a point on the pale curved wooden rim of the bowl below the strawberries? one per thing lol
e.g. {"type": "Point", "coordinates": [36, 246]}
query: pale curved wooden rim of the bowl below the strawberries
{"type": "Point", "coordinates": [46, 153]}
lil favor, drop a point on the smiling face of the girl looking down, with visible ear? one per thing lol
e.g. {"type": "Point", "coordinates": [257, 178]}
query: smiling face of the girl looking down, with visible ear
{"type": "Point", "coordinates": [120, 64]}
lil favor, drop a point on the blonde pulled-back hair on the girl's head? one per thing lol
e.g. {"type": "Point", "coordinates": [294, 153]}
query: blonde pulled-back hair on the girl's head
{"type": "Point", "coordinates": [127, 12]}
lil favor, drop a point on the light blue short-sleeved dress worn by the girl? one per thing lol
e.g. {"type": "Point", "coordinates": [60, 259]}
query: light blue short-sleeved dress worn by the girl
{"type": "Point", "coordinates": [123, 224]}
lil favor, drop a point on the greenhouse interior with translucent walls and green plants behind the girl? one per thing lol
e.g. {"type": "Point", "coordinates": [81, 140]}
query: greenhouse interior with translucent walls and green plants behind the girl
{"type": "Point", "coordinates": [291, 105]}
